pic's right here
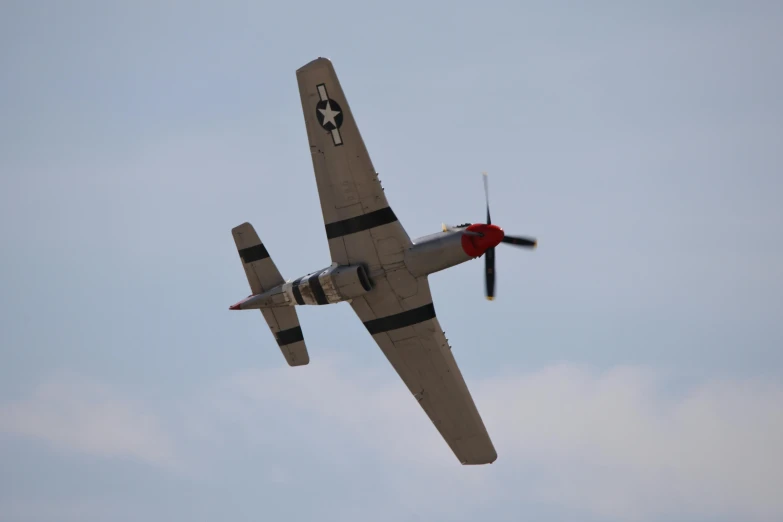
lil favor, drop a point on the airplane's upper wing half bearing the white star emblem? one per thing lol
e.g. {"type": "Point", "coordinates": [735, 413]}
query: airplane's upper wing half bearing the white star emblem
{"type": "Point", "coordinates": [360, 225]}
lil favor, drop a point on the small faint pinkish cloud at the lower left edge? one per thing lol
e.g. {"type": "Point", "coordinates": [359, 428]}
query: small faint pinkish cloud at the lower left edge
{"type": "Point", "coordinates": [74, 413]}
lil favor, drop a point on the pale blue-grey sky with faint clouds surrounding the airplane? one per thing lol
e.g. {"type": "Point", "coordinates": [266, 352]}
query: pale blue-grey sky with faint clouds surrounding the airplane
{"type": "Point", "coordinates": [630, 368]}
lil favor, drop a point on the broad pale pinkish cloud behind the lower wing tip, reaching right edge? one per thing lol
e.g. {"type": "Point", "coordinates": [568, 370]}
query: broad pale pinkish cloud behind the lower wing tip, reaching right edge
{"type": "Point", "coordinates": [618, 445]}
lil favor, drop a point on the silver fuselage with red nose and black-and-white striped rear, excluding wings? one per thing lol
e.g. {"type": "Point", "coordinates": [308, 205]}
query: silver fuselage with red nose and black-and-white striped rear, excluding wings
{"type": "Point", "coordinates": [337, 283]}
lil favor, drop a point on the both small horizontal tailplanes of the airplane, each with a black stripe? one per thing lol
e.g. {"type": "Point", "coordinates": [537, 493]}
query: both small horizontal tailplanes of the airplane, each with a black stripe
{"type": "Point", "coordinates": [263, 275]}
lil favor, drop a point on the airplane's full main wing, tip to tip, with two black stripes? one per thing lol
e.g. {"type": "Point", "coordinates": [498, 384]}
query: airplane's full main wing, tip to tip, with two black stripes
{"type": "Point", "coordinates": [362, 228]}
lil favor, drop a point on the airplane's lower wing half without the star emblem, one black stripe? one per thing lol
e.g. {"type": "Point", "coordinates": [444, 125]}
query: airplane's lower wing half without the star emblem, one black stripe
{"type": "Point", "coordinates": [410, 336]}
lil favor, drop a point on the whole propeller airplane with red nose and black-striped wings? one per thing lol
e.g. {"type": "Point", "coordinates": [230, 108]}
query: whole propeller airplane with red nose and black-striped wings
{"type": "Point", "coordinates": [376, 268]}
